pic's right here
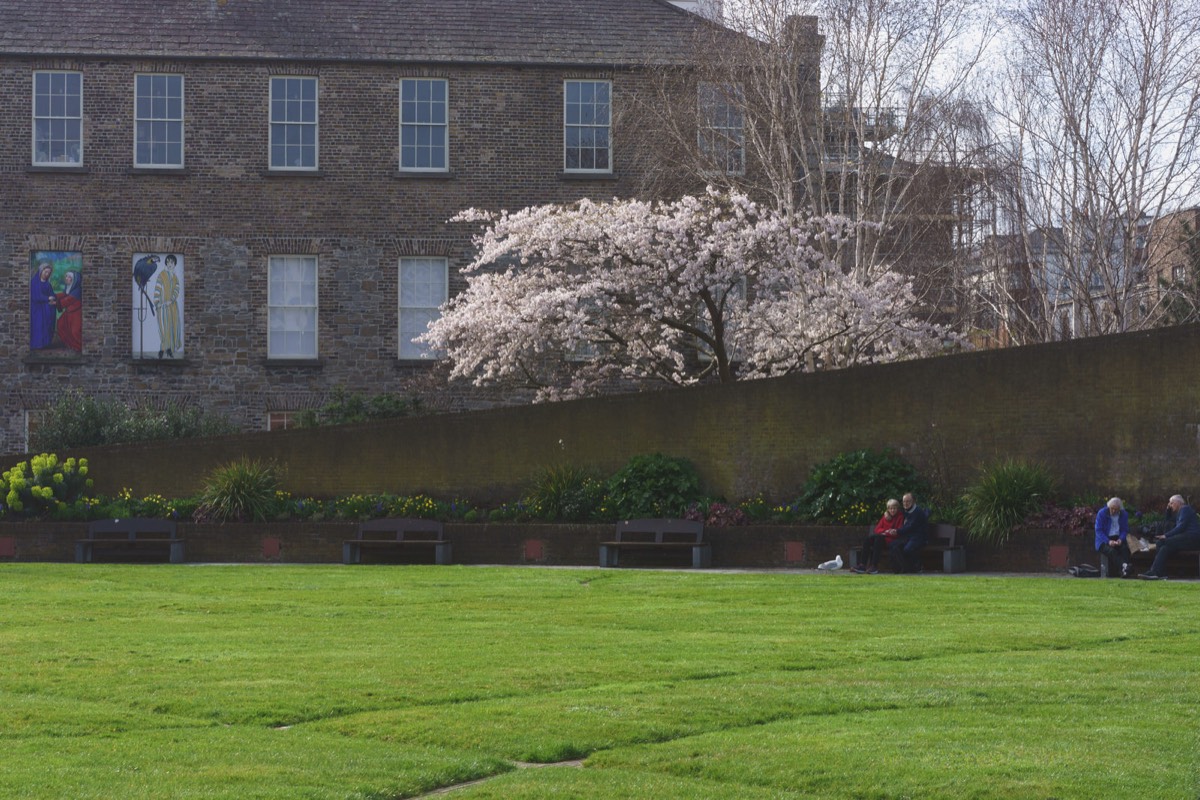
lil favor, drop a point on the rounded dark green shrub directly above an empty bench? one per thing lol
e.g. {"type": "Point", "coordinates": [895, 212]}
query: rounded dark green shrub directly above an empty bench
{"type": "Point", "coordinates": [653, 486]}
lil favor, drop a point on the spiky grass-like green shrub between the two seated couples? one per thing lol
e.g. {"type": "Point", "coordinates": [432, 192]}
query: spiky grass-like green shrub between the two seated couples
{"type": "Point", "coordinates": [1005, 496]}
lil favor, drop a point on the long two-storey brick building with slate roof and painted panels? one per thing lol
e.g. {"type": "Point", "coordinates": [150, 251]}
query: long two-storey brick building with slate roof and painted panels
{"type": "Point", "coordinates": [244, 204]}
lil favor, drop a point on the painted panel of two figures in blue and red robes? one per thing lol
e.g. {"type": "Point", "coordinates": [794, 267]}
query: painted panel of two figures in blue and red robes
{"type": "Point", "coordinates": [56, 302]}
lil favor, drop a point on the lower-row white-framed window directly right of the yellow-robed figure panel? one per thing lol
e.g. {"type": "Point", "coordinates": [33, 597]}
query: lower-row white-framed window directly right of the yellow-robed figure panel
{"type": "Point", "coordinates": [292, 308]}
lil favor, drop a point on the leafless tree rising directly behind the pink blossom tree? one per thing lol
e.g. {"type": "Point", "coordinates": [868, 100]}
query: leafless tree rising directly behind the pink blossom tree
{"type": "Point", "coordinates": [848, 107]}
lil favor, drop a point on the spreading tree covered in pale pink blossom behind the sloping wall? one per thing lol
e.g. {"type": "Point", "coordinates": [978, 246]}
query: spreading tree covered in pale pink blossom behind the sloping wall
{"type": "Point", "coordinates": [572, 299]}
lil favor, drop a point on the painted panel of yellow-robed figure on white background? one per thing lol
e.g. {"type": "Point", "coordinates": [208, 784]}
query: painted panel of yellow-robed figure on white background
{"type": "Point", "coordinates": [158, 306]}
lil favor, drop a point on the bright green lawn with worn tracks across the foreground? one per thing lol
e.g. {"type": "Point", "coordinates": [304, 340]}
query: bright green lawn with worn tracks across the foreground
{"type": "Point", "coordinates": [371, 683]}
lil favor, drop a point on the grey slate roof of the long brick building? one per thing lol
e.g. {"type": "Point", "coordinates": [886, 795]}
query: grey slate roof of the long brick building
{"type": "Point", "coordinates": [497, 32]}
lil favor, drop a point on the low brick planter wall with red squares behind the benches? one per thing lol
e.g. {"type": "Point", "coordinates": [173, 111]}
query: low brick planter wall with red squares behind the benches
{"type": "Point", "coordinates": [743, 548]}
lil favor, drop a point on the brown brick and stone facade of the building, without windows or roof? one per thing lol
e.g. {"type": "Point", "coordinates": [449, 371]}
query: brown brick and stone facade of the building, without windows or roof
{"type": "Point", "coordinates": [226, 215]}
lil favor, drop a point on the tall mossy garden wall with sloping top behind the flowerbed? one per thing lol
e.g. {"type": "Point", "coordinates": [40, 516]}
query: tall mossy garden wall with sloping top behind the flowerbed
{"type": "Point", "coordinates": [1113, 416]}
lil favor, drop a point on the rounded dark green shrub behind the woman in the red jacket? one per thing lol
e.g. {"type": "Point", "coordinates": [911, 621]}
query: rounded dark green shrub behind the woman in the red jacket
{"type": "Point", "coordinates": [853, 488]}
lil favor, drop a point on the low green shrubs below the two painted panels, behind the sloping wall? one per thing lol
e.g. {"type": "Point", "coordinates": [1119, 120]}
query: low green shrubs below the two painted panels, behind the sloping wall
{"type": "Point", "coordinates": [79, 420]}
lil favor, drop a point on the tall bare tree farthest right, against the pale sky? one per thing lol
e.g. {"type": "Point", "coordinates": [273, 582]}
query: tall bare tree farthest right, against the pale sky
{"type": "Point", "coordinates": [1097, 116]}
